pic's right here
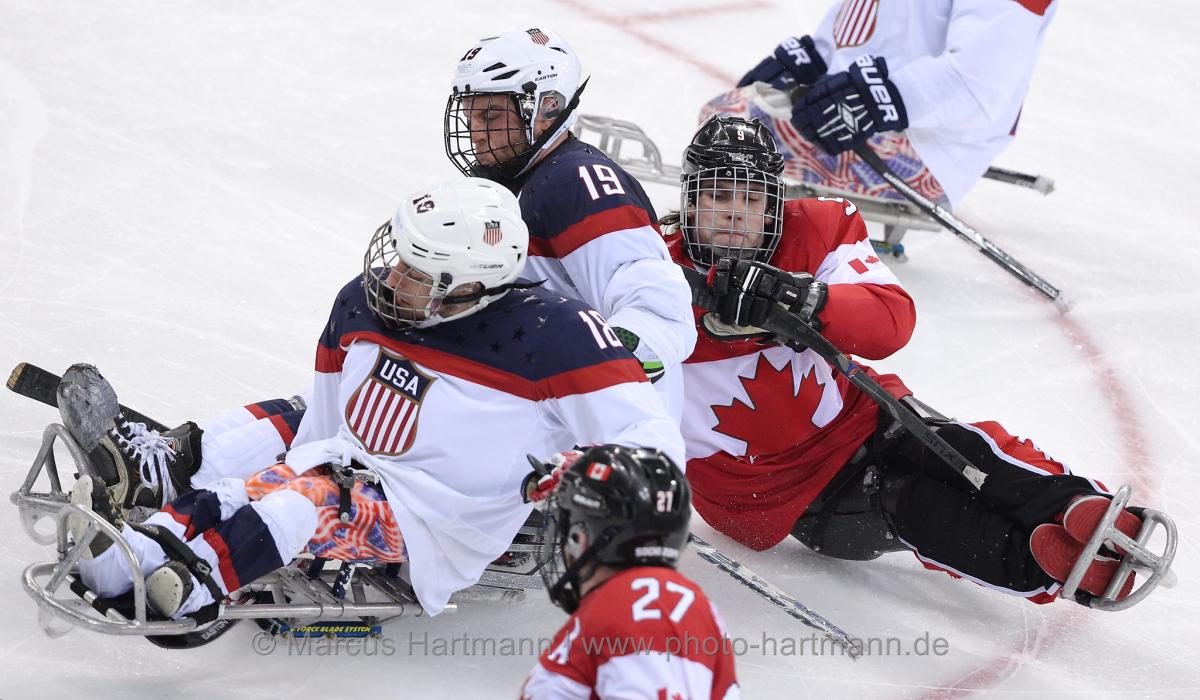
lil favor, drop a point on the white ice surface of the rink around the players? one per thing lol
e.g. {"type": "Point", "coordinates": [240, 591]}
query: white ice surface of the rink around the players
{"type": "Point", "coordinates": [184, 187]}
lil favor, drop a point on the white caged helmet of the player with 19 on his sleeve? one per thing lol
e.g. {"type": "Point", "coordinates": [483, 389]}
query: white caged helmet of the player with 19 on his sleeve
{"type": "Point", "coordinates": [532, 73]}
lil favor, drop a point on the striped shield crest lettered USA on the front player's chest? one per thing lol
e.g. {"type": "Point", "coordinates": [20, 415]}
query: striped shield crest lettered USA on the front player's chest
{"type": "Point", "coordinates": [385, 410]}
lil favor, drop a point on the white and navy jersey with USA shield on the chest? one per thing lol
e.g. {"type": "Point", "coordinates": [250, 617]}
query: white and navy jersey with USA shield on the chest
{"type": "Point", "coordinates": [447, 415]}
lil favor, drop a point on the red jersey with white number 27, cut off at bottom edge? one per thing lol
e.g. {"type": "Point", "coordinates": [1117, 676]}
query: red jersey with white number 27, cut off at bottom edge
{"type": "Point", "coordinates": [647, 632]}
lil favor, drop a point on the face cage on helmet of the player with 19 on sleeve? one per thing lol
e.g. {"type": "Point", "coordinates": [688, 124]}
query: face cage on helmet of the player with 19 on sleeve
{"type": "Point", "coordinates": [500, 147]}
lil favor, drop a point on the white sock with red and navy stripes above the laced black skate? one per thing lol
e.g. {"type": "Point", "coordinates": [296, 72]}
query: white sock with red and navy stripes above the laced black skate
{"type": "Point", "coordinates": [243, 451]}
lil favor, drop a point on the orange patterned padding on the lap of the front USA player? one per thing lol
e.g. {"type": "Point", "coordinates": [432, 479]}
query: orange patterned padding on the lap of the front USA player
{"type": "Point", "coordinates": [371, 536]}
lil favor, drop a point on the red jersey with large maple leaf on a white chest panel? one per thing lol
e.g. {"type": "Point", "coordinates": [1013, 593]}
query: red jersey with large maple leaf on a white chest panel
{"type": "Point", "coordinates": [769, 428]}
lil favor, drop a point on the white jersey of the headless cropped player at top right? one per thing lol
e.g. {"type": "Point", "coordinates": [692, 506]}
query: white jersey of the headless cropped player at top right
{"type": "Point", "coordinates": [962, 68]}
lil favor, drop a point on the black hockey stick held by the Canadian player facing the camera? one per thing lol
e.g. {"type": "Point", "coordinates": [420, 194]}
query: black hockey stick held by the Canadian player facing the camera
{"type": "Point", "coordinates": [793, 330]}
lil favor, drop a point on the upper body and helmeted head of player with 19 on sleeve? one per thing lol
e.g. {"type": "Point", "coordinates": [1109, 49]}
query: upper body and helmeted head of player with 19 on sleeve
{"type": "Point", "coordinates": [593, 231]}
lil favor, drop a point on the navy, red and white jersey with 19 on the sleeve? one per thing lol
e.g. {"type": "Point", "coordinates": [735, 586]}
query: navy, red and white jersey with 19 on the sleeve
{"type": "Point", "coordinates": [593, 236]}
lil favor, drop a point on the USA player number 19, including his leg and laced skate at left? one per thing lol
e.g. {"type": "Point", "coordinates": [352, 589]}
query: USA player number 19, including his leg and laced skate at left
{"type": "Point", "coordinates": [593, 237]}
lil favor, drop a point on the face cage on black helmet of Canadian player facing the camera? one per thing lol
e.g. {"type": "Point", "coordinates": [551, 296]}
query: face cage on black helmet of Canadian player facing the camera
{"type": "Point", "coordinates": [731, 212]}
